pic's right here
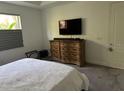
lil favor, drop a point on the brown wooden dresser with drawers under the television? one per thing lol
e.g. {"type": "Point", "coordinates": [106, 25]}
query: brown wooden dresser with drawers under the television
{"type": "Point", "coordinates": [68, 50]}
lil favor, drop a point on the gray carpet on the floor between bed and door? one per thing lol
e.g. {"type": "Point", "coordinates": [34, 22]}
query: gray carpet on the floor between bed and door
{"type": "Point", "coordinates": [103, 78]}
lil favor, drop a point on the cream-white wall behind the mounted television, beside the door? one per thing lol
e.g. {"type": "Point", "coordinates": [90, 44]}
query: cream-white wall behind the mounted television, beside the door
{"type": "Point", "coordinates": [96, 18]}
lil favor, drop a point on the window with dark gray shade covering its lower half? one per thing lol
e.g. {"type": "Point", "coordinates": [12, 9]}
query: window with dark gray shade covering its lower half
{"type": "Point", "coordinates": [10, 31]}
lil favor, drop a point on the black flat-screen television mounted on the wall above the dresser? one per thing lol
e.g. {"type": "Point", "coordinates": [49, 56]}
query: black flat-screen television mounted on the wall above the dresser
{"type": "Point", "coordinates": [70, 27]}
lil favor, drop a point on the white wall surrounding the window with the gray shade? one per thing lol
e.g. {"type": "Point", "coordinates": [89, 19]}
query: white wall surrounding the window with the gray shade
{"type": "Point", "coordinates": [31, 30]}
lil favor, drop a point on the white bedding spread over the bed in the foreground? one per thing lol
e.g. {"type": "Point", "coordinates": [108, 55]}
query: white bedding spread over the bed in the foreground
{"type": "Point", "coordinates": [31, 74]}
